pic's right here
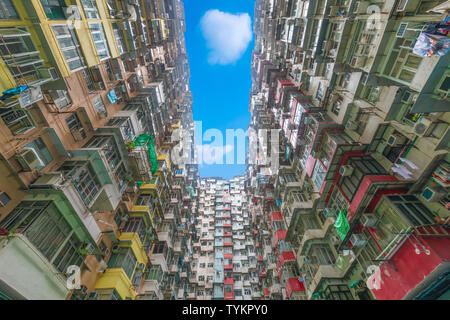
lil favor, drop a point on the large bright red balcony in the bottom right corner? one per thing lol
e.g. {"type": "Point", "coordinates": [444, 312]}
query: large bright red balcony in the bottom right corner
{"type": "Point", "coordinates": [415, 261]}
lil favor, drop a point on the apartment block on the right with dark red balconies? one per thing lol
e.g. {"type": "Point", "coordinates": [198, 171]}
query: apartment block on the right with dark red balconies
{"type": "Point", "coordinates": [359, 206]}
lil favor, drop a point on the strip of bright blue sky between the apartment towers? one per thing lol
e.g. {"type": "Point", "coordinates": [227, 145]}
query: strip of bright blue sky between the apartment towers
{"type": "Point", "coordinates": [220, 80]}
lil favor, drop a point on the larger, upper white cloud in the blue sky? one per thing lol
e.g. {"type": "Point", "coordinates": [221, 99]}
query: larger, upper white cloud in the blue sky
{"type": "Point", "coordinates": [227, 35]}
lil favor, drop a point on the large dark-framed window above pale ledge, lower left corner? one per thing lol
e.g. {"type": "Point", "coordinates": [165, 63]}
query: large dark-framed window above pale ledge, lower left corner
{"type": "Point", "coordinates": [47, 229]}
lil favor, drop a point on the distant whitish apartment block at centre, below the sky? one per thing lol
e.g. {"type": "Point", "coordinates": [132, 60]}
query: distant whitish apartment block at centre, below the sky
{"type": "Point", "coordinates": [224, 260]}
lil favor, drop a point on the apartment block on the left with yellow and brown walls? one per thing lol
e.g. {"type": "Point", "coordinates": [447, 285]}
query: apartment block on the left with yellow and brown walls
{"type": "Point", "coordinates": [92, 94]}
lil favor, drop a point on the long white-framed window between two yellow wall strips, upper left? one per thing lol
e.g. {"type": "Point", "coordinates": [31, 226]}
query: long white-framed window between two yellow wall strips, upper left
{"type": "Point", "coordinates": [70, 47]}
